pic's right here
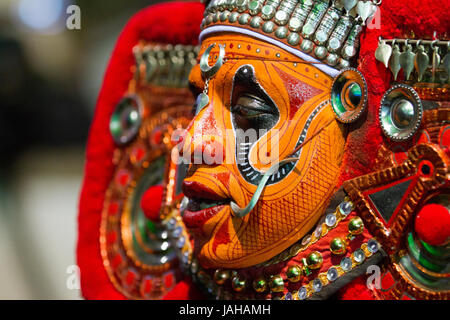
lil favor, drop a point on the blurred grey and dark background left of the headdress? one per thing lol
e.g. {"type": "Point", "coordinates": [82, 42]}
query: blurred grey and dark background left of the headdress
{"type": "Point", "coordinates": [49, 80]}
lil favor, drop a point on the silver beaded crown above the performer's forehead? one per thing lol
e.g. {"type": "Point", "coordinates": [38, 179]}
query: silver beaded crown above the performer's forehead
{"type": "Point", "coordinates": [325, 30]}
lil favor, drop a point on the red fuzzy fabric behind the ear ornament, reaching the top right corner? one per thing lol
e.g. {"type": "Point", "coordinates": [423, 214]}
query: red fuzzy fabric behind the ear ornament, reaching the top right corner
{"type": "Point", "coordinates": [399, 19]}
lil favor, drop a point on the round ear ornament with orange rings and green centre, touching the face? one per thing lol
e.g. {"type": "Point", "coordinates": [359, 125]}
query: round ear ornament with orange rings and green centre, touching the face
{"type": "Point", "coordinates": [349, 95]}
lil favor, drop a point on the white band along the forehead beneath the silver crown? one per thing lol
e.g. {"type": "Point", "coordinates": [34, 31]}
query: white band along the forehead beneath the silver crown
{"type": "Point", "coordinates": [216, 29]}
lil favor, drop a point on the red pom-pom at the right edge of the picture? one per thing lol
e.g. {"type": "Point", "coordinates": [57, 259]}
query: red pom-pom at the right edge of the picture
{"type": "Point", "coordinates": [433, 224]}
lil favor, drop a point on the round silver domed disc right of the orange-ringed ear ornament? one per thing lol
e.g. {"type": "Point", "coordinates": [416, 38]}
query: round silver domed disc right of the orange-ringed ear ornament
{"type": "Point", "coordinates": [400, 112]}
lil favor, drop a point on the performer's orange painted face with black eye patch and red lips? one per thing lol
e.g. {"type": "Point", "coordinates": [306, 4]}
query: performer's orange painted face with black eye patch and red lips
{"type": "Point", "coordinates": [285, 102]}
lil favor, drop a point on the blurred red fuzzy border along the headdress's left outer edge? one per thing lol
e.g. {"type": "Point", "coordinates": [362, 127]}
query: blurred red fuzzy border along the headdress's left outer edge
{"type": "Point", "coordinates": [175, 23]}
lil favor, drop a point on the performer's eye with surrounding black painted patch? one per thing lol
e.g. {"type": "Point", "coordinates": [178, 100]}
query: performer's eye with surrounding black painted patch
{"type": "Point", "coordinates": [251, 107]}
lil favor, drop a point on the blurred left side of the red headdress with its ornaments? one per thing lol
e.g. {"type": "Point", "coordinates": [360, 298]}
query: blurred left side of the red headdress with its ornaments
{"type": "Point", "coordinates": [144, 94]}
